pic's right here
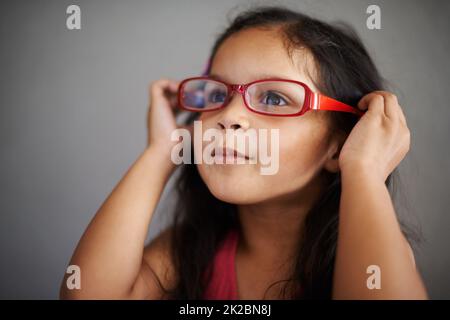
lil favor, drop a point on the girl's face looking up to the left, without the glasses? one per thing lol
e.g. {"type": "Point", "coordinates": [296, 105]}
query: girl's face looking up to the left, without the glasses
{"type": "Point", "coordinates": [304, 147]}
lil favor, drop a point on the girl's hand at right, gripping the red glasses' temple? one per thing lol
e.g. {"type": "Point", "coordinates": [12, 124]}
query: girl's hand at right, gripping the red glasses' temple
{"type": "Point", "coordinates": [380, 139]}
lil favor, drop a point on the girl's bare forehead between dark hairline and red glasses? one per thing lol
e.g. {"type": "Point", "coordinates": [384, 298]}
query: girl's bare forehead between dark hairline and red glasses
{"type": "Point", "coordinates": [255, 54]}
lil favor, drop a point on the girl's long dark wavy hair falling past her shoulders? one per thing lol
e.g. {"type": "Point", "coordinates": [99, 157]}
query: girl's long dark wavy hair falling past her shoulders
{"type": "Point", "coordinates": [346, 72]}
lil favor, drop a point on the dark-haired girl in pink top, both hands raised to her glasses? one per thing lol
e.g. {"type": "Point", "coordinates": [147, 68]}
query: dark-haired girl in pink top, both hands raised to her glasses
{"type": "Point", "coordinates": [323, 226]}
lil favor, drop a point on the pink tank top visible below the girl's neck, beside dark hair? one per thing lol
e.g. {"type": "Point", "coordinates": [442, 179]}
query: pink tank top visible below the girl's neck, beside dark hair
{"type": "Point", "coordinates": [223, 284]}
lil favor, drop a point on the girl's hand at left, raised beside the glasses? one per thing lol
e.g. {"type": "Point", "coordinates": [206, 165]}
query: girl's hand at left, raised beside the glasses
{"type": "Point", "coordinates": [161, 114]}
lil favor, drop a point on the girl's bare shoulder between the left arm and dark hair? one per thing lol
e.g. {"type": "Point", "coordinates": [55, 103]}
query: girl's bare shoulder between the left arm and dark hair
{"type": "Point", "coordinates": [157, 271]}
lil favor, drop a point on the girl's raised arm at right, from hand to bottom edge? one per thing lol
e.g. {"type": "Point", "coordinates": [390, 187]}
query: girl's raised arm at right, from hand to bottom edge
{"type": "Point", "coordinates": [369, 233]}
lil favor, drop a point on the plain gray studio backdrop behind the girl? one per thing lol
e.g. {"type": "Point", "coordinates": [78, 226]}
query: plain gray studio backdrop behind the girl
{"type": "Point", "coordinates": [73, 107]}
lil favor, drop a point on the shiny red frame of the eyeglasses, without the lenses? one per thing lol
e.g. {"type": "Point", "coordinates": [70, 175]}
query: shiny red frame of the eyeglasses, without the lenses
{"type": "Point", "coordinates": [313, 100]}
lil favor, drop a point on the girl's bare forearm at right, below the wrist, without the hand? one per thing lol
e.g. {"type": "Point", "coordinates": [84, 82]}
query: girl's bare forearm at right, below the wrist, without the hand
{"type": "Point", "coordinates": [369, 234]}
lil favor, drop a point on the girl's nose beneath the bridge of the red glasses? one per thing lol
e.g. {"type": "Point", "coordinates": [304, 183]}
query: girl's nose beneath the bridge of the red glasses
{"type": "Point", "coordinates": [235, 115]}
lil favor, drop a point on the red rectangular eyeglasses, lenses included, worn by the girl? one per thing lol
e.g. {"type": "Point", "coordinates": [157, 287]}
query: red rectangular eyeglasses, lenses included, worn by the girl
{"type": "Point", "coordinates": [272, 97]}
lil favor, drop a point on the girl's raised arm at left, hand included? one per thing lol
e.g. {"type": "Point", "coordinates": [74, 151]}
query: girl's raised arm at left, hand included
{"type": "Point", "coordinates": [111, 253]}
